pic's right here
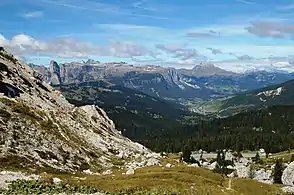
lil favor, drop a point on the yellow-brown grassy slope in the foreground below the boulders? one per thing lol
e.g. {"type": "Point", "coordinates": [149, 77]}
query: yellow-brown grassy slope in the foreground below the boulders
{"type": "Point", "coordinates": [179, 179]}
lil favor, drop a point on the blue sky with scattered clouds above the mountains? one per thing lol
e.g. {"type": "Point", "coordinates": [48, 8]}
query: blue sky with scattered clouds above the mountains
{"type": "Point", "coordinates": [236, 35]}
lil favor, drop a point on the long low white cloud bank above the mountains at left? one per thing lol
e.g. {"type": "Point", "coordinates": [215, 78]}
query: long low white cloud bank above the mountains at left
{"type": "Point", "coordinates": [66, 47]}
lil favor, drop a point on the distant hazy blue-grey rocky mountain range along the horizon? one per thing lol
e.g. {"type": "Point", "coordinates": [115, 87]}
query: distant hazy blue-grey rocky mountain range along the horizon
{"type": "Point", "coordinates": [204, 81]}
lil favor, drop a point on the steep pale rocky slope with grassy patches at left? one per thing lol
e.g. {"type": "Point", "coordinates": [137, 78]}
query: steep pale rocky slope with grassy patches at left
{"type": "Point", "coordinates": [39, 128]}
